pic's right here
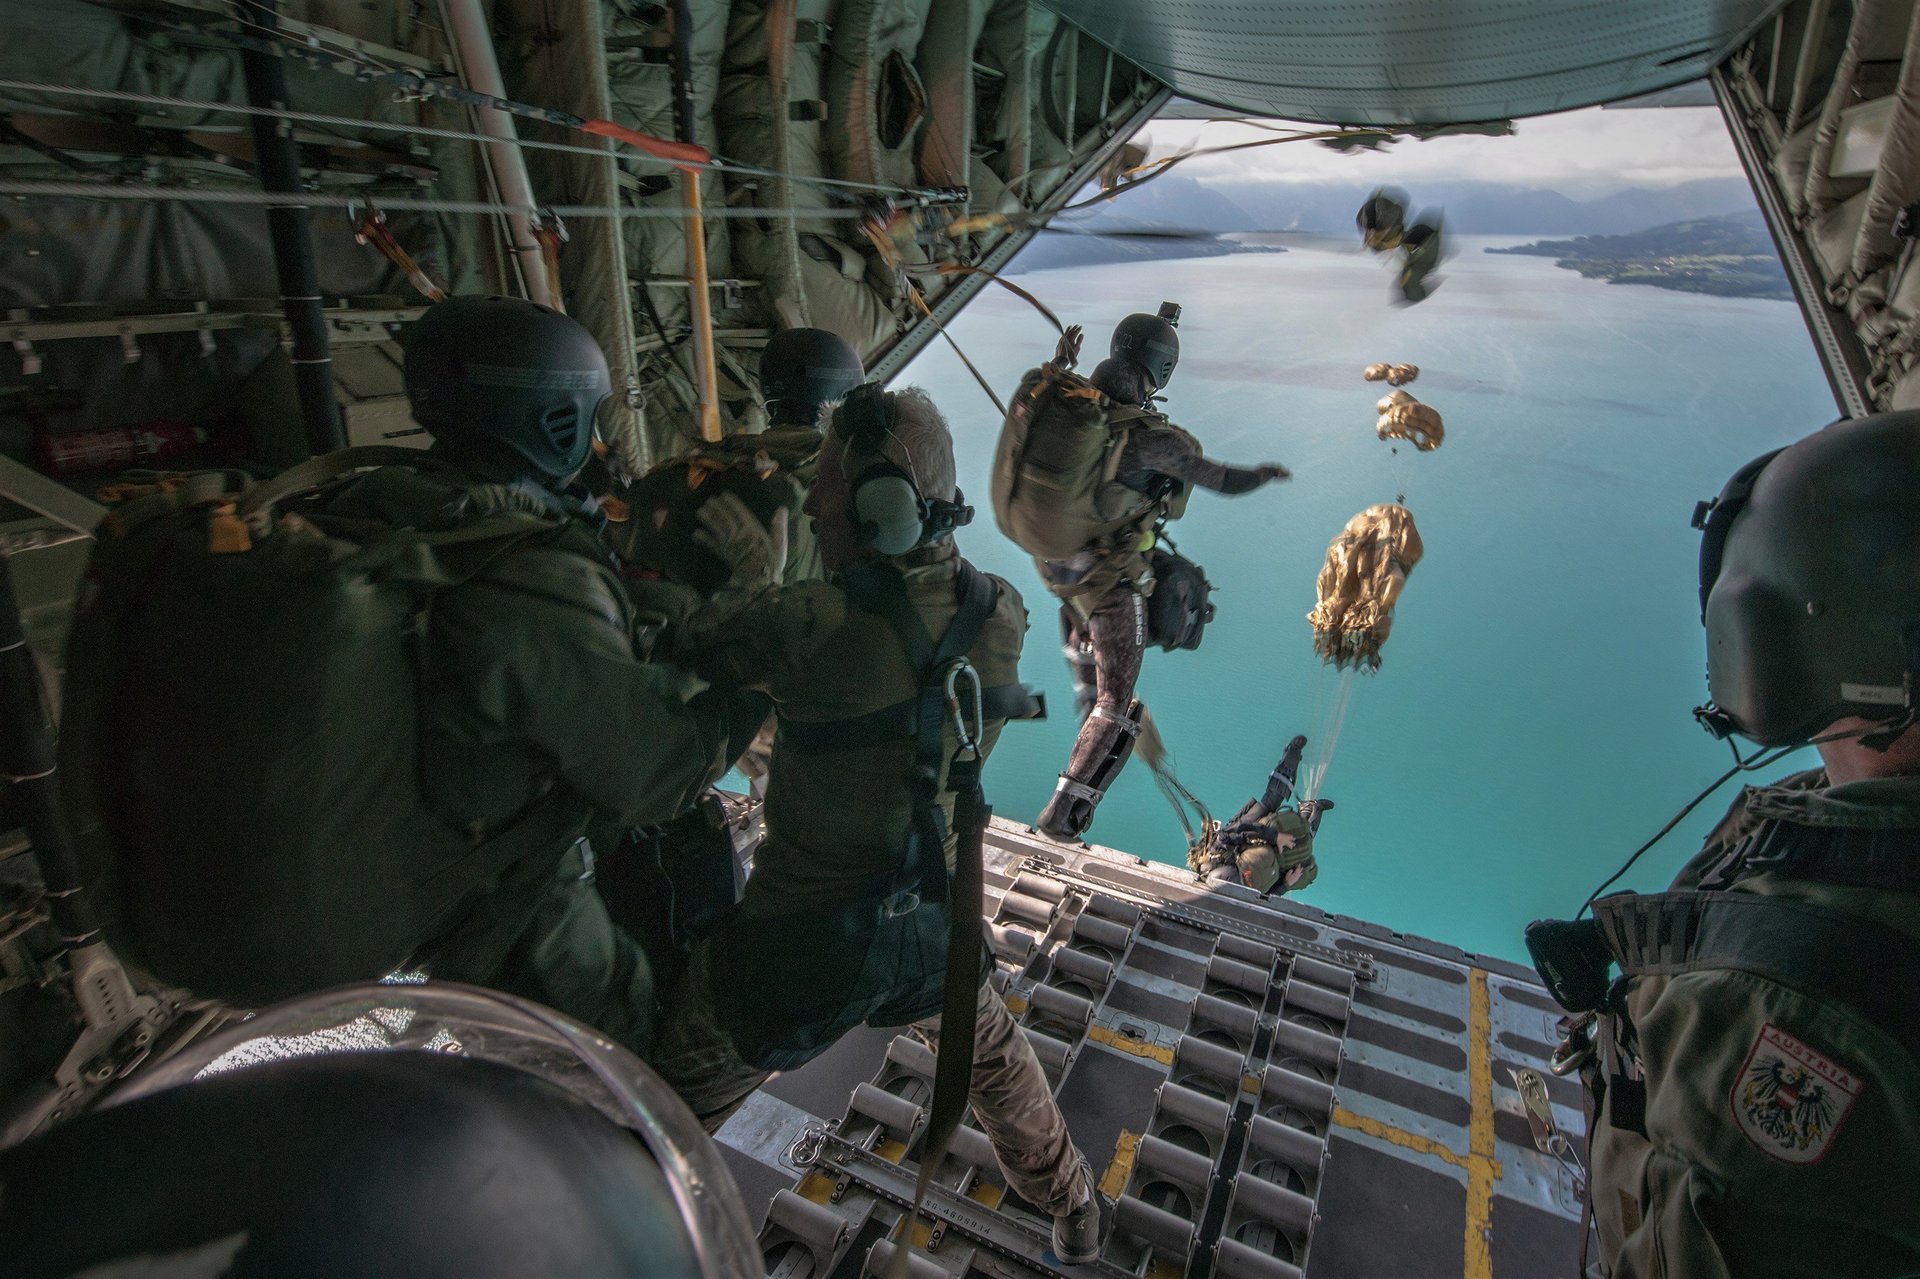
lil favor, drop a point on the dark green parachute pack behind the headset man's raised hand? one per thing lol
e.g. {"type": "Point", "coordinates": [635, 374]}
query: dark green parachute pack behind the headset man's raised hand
{"type": "Point", "coordinates": [767, 471]}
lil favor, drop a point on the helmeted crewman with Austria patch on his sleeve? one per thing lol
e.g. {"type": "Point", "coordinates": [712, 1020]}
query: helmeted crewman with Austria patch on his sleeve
{"type": "Point", "coordinates": [1756, 1069]}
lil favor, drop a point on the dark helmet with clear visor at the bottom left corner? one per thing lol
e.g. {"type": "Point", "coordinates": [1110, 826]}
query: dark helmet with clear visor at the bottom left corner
{"type": "Point", "coordinates": [431, 1130]}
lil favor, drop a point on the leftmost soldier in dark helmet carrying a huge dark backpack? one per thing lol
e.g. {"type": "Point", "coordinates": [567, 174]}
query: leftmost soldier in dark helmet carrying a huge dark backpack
{"type": "Point", "coordinates": [431, 681]}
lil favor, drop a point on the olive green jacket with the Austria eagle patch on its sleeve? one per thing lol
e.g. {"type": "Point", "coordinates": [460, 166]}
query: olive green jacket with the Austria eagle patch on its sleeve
{"type": "Point", "coordinates": [1783, 1134]}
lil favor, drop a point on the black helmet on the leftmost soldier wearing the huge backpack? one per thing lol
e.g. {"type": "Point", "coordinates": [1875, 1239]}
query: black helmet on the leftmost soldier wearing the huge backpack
{"type": "Point", "coordinates": [489, 374]}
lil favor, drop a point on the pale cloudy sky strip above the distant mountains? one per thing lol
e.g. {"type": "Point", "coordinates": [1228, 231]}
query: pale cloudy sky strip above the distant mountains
{"type": "Point", "coordinates": [1579, 153]}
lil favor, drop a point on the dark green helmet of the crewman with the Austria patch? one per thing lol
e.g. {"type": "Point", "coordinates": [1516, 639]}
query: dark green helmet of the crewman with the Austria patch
{"type": "Point", "coordinates": [1810, 583]}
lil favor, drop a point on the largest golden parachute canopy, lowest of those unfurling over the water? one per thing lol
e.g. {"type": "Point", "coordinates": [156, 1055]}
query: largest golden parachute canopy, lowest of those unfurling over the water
{"type": "Point", "coordinates": [1366, 567]}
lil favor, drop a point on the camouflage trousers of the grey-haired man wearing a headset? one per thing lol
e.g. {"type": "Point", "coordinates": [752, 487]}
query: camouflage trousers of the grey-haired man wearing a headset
{"type": "Point", "coordinates": [1011, 1098]}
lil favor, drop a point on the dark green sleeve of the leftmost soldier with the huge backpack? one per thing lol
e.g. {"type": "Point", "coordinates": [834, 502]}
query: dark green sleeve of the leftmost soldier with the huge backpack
{"type": "Point", "coordinates": [542, 656]}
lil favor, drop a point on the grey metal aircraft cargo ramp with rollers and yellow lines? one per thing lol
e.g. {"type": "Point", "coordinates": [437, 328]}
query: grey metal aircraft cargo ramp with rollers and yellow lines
{"type": "Point", "coordinates": [1268, 1092]}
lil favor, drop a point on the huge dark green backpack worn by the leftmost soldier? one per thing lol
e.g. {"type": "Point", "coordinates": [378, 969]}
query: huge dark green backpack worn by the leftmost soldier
{"type": "Point", "coordinates": [241, 740]}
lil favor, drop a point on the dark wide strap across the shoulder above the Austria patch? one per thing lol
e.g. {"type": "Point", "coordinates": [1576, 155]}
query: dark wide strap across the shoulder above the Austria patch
{"type": "Point", "coordinates": [1821, 953]}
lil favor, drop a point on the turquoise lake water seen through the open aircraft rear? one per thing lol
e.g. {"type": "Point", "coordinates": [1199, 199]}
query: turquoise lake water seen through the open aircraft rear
{"type": "Point", "coordinates": [1531, 725]}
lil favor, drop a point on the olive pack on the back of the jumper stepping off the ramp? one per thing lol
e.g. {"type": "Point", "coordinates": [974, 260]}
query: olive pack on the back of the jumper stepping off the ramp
{"type": "Point", "coordinates": [1055, 489]}
